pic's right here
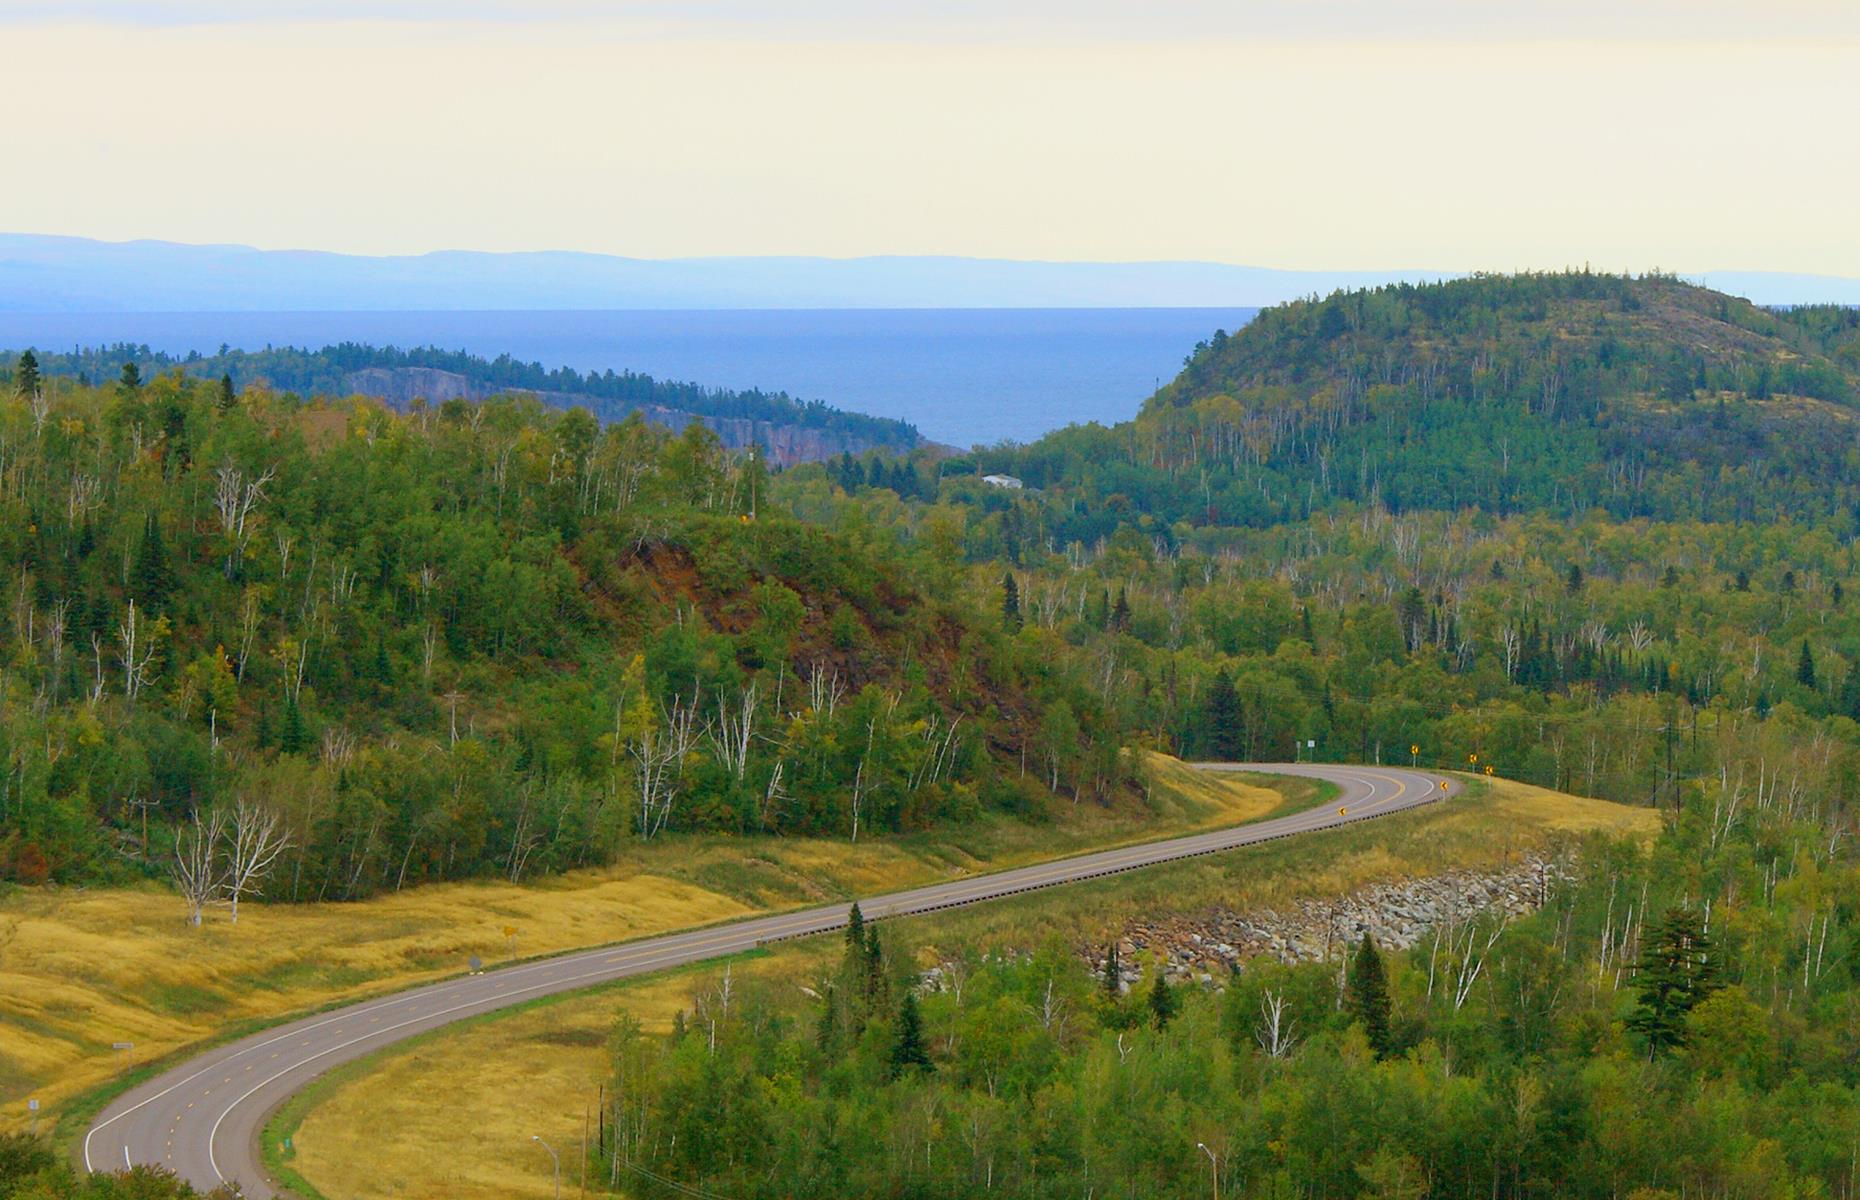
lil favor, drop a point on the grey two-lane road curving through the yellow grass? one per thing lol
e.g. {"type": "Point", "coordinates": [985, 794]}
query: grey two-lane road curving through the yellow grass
{"type": "Point", "coordinates": [204, 1119]}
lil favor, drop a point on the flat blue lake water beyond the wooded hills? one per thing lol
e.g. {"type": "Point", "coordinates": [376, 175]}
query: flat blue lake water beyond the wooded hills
{"type": "Point", "coordinates": [963, 377]}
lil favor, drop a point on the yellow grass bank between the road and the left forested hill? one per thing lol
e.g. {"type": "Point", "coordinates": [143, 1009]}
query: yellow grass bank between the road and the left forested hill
{"type": "Point", "coordinates": [86, 968]}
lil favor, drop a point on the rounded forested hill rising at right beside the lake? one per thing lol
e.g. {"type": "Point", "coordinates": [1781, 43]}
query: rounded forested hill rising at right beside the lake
{"type": "Point", "coordinates": [1530, 393]}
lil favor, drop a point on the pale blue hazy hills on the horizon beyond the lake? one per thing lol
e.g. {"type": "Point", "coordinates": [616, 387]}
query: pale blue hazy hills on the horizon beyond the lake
{"type": "Point", "coordinates": [57, 274]}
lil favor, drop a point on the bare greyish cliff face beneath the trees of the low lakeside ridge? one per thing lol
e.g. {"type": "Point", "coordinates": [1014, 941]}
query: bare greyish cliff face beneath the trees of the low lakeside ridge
{"type": "Point", "coordinates": [784, 444]}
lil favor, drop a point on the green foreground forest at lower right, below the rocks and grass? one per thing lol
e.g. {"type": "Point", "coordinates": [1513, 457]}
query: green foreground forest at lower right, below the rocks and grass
{"type": "Point", "coordinates": [1682, 1022]}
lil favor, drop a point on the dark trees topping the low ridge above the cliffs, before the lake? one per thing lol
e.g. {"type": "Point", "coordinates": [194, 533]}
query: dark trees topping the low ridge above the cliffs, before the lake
{"type": "Point", "coordinates": [609, 395]}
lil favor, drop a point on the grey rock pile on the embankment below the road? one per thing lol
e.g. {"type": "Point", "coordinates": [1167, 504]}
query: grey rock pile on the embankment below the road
{"type": "Point", "coordinates": [1398, 914]}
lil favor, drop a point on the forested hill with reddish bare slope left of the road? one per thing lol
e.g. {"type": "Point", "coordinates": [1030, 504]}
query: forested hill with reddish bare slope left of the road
{"type": "Point", "coordinates": [473, 639]}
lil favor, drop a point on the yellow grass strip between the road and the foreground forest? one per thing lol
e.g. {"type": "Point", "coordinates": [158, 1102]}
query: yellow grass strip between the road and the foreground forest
{"type": "Point", "coordinates": [388, 1127]}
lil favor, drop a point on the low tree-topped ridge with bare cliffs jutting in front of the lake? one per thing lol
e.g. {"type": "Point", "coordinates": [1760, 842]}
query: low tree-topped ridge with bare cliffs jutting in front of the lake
{"type": "Point", "coordinates": [786, 429]}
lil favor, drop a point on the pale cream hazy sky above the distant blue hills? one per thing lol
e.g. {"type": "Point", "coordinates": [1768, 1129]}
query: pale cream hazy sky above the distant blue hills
{"type": "Point", "coordinates": [1320, 133]}
